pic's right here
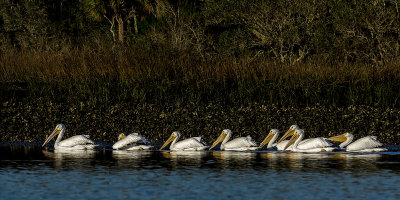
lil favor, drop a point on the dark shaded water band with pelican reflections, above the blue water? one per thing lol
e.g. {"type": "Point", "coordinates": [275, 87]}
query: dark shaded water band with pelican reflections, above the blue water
{"type": "Point", "coordinates": [217, 160]}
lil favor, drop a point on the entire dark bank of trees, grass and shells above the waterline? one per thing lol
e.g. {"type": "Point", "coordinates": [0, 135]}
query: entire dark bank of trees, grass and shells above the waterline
{"type": "Point", "coordinates": [170, 56]}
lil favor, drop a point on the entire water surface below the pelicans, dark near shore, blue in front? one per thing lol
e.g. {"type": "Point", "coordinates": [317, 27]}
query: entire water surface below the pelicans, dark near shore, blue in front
{"type": "Point", "coordinates": [30, 172]}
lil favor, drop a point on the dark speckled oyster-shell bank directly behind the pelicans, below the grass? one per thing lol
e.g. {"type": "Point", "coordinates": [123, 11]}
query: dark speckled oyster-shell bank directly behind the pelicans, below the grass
{"type": "Point", "coordinates": [32, 121]}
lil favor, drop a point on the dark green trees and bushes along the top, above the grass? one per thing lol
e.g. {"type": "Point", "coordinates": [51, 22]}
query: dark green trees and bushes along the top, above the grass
{"type": "Point", "coordinates": [289, 31]}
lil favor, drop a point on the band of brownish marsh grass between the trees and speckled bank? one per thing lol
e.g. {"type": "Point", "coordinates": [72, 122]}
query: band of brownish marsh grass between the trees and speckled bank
{"type": "Point", "coordinates": [104, 74]}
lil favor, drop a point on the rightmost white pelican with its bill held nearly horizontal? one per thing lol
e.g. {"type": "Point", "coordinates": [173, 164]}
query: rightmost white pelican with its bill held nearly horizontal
{"type": "Point", "coordinates": [365, 144]}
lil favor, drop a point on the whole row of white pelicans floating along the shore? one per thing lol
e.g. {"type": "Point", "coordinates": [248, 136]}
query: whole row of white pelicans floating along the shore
{"type": "Point", "coordinates": [135, 142]}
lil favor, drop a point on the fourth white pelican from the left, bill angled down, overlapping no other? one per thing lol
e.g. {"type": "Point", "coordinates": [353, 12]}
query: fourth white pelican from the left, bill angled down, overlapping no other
{"type": "Point", "coordinates": [237, 144]}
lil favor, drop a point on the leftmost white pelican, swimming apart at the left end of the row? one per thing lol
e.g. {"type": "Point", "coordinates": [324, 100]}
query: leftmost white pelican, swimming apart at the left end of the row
{"type": "Point", "coordinates": [77, 142]}
